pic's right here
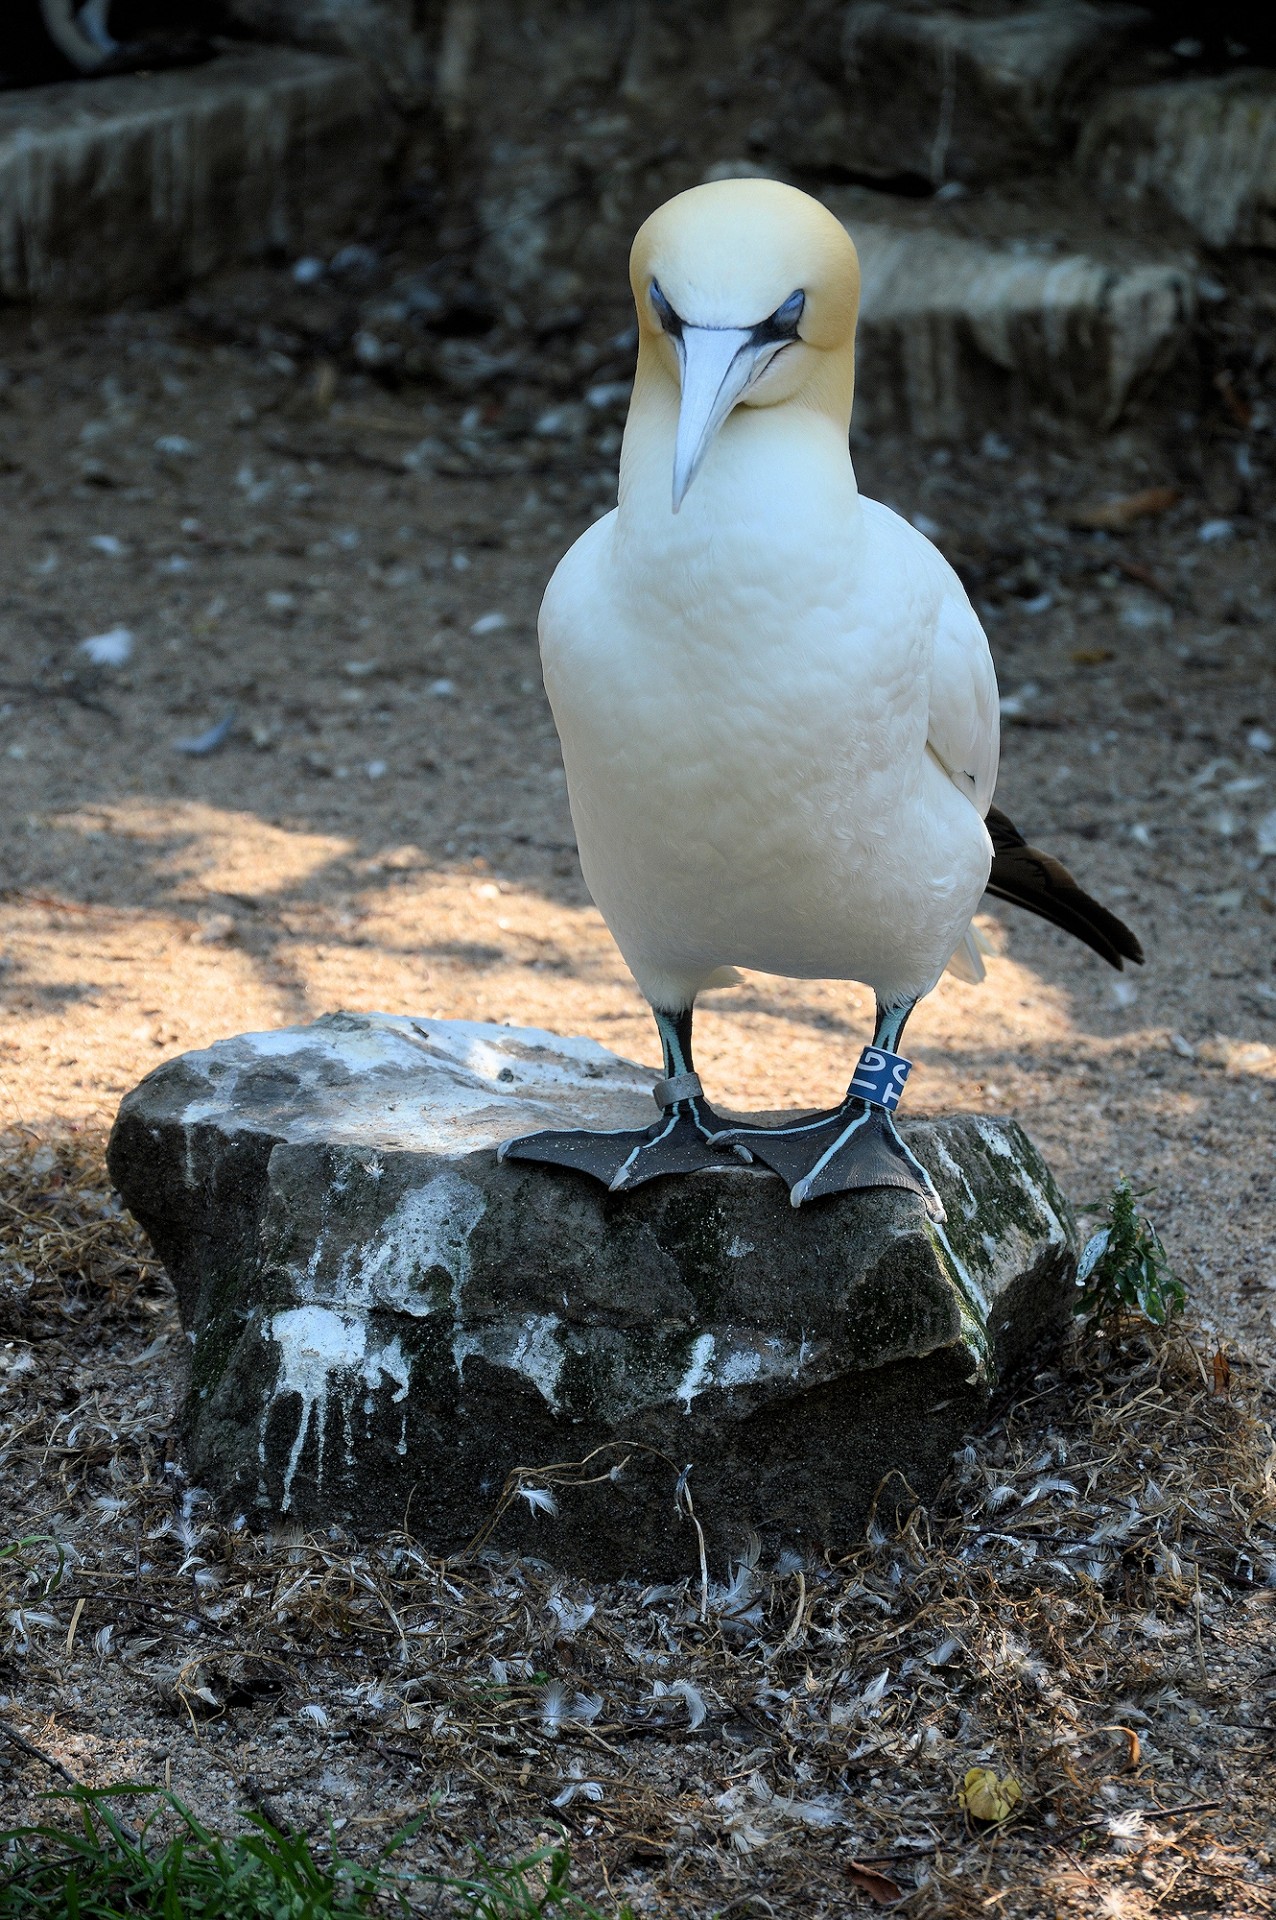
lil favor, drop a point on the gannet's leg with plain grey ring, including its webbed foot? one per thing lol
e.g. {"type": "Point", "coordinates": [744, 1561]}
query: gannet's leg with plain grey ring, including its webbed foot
{"type": "Point", "coordinates": [676, 1143]}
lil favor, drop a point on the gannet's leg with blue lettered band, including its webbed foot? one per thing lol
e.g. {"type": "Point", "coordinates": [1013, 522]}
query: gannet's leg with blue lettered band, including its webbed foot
{"type": "Point", "coordinates": [857, 1143]}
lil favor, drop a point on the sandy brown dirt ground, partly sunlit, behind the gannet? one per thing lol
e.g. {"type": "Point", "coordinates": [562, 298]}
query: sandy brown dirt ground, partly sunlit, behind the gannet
{"type": "Point", "coordinates": [350, 573]}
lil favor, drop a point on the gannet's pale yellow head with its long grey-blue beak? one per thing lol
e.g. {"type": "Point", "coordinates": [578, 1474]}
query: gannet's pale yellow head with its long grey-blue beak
{"type": "Point", "coordinates": [747, 295]}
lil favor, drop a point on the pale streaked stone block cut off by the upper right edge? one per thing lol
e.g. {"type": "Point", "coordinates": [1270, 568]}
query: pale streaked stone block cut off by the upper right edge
{"type": "Point", "coordinates": [1204, 151]}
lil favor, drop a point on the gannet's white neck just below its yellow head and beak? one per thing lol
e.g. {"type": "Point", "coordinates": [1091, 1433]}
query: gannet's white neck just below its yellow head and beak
{"type": "Point", "coordinates": [776, 475]}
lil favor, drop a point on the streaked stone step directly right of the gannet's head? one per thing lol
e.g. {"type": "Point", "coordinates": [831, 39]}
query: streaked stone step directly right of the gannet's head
{"type": "Point", "coordinates": [962, 335]}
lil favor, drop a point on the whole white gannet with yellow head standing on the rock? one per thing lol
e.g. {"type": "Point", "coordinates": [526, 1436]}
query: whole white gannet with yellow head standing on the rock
{"type": "Point", "coordinates": [776, 704]}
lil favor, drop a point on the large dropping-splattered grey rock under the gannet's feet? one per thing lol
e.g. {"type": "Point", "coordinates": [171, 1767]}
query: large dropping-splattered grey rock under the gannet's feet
{"type": "Point", "coordinates": [389, 1324]}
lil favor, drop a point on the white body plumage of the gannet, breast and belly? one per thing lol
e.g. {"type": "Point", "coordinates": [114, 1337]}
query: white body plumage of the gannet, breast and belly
{"type": "Point", "coordinates": [778, 709]}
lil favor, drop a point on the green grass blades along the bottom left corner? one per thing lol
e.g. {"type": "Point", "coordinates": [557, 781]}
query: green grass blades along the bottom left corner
{"type": "Point", "coordinates": [93, 1867]}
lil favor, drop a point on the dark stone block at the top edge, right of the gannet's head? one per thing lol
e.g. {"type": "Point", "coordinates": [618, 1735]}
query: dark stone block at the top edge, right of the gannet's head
{"type": "Point", "coordinates": [949, 95]}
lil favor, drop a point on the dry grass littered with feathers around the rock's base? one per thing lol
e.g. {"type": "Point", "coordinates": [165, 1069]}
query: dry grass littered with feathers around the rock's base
{"type": "Point", "coordinates": [1087, 1608]}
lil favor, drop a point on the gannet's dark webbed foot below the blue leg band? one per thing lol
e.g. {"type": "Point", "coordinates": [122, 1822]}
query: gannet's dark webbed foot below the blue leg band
{"type": "Point", "coordinates": [853, 1147]}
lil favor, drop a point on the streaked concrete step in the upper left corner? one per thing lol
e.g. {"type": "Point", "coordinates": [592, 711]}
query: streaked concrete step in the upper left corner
{"type": "Point", "coordinates": [137, 185]}
